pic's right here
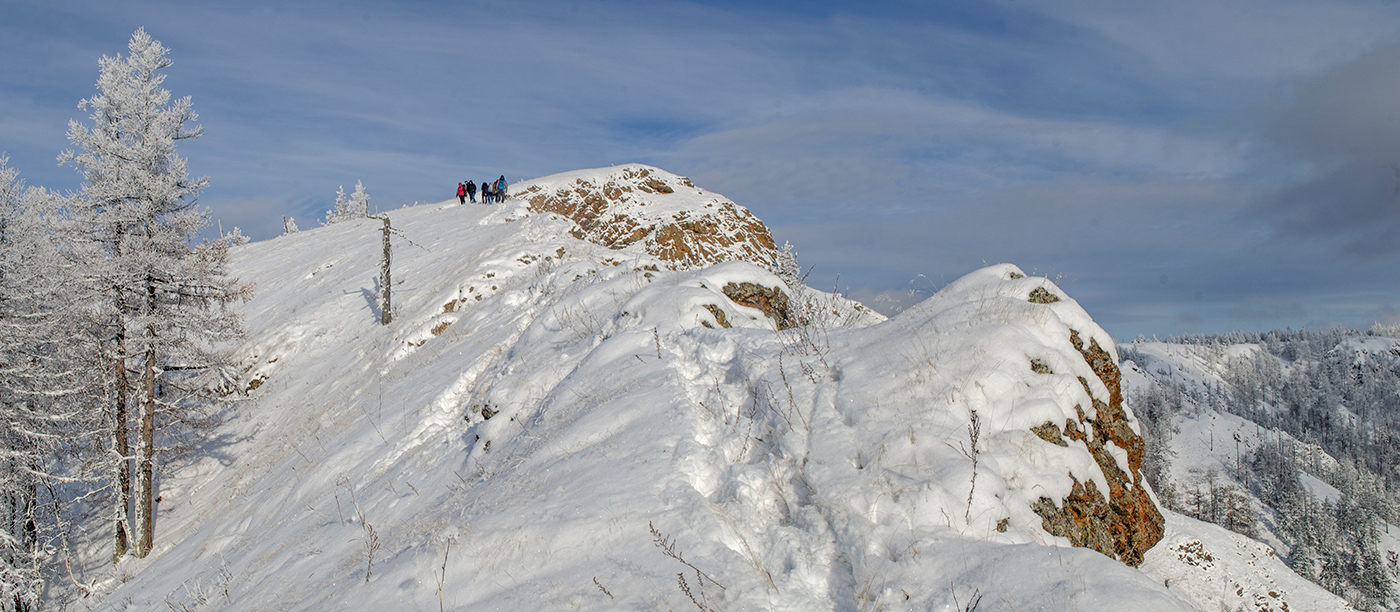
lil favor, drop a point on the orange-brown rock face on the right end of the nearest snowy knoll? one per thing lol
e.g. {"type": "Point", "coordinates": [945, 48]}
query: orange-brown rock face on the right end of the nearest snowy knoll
{"type": "Point", "coordinates": [1128, 523]}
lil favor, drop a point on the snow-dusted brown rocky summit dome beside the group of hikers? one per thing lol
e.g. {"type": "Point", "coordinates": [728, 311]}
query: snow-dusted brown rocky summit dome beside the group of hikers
{"type": "Point", "coordinates": [642, 208]}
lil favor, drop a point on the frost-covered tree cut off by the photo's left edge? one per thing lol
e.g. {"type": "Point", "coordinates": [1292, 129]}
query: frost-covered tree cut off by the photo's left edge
{"type": "Point", "coordinates": [41, 382]}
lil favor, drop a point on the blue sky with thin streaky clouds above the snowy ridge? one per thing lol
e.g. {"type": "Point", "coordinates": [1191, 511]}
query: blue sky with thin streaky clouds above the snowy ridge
{"type": "Point", "coordinates": [1196, 166]}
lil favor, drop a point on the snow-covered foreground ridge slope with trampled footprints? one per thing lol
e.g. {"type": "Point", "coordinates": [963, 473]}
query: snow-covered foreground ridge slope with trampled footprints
{"type": "Point", "coordinates": [551, 424]}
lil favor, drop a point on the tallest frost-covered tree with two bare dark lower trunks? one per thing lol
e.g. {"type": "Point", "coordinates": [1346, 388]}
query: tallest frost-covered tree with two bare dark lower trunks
{"type": "Point", "coordinates": [162, 293]}
